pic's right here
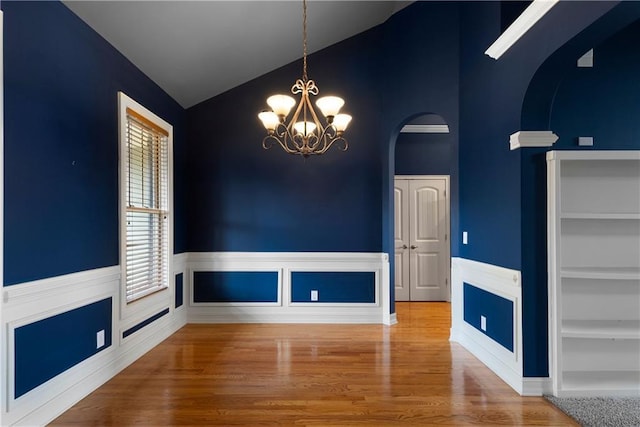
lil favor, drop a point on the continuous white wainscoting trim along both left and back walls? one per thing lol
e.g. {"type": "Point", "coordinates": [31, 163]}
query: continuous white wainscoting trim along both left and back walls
{"type": "Point", "coordinates": [29, 302]}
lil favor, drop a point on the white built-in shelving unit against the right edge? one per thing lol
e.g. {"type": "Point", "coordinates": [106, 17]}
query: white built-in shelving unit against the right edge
{"type": "Point", "coordinates": [594, 272]}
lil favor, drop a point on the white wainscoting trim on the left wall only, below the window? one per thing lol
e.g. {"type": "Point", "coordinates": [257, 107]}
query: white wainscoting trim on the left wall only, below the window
{"type": "Point", "coordinates": [41, 300]}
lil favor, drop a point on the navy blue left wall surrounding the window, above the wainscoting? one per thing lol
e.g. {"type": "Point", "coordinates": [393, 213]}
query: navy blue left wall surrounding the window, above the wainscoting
{"type": "Point", "coordinates": [61, 142]}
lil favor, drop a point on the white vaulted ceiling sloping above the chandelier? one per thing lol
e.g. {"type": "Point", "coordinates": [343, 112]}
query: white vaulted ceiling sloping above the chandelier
{"type": "Point", "coordinates": [198, 49]}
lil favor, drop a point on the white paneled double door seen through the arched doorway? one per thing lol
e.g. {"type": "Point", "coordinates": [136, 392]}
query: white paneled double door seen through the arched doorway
{"type": "Point", "coordinates": [422, 239]}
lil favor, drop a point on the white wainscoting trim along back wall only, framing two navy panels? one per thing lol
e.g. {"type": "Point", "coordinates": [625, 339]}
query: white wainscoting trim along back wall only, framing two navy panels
{"type": "Point", "coordinates": [284, 310]}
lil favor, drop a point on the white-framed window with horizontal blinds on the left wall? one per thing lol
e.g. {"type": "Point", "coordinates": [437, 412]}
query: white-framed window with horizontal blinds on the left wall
{"type": "Point", "coordinates": [145, 158]}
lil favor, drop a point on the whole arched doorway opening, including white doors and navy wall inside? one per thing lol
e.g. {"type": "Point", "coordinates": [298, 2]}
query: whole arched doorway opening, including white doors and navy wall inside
{"type": "Point", "coordinates": [422, 251]}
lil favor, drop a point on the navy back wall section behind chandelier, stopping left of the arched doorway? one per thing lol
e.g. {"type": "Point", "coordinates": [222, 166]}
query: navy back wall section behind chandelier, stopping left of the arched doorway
{"type": "Point", "coordinates": [249, 199]}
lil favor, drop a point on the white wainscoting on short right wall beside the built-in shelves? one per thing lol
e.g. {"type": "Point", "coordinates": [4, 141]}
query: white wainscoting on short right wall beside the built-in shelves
{"type": "Point", "coordinates": [505, 283]}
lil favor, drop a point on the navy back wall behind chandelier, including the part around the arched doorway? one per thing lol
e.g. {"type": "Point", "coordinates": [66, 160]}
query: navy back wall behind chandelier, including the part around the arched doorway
{"type": "Point", "coordinates": [251, 200]}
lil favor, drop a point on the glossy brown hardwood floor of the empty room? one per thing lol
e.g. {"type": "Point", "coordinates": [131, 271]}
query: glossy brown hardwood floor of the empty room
{"type": "Point", "coordinates": [310, 375]}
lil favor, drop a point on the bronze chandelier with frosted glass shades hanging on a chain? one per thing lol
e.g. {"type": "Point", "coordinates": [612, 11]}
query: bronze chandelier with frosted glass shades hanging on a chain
{"type": "Point", "coordinates": [304, 134]}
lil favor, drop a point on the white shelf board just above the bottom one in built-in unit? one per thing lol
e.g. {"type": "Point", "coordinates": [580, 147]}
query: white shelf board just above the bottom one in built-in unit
{"type": "Point", "coordinates": [601, 329]}
